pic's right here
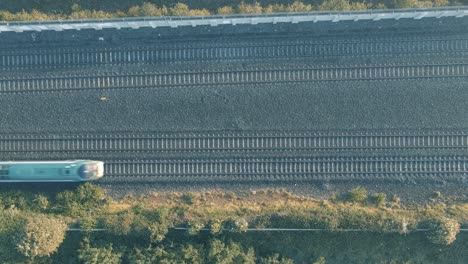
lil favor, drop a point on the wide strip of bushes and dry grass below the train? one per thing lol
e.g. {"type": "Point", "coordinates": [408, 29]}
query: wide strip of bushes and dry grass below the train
{"type": "Point", "coordinates": [84, 225]}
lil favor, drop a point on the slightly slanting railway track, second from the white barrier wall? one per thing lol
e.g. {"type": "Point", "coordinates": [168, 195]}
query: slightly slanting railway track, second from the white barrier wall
{"type": "Point", "coordinates": [232, 77]}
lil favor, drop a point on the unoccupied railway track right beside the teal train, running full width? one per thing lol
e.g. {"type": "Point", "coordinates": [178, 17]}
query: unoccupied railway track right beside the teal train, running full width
{"type": "Point", "coordinates": [232, 142]}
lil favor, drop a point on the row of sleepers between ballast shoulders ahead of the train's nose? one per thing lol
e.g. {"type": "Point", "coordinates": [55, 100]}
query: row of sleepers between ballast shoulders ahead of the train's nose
{"type": "Point", "coordinates": [295, 166]}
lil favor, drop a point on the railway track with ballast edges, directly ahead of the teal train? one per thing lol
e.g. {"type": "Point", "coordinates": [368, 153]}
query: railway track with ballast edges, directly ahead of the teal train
{"type": "Point", "coordinates": [289, 169]}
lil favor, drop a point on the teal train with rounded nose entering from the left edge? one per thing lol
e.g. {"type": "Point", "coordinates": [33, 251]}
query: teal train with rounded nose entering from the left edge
{"type": "Point", "coordinates": [51, 171]}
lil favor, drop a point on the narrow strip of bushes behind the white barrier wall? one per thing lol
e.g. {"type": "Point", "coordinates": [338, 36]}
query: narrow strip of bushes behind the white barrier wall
{"type": "Point", "coordinates": [83, 9]}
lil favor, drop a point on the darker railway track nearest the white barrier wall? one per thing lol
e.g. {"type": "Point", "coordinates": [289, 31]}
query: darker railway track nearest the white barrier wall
{"type": "Point", "coordinates": [11, 59]}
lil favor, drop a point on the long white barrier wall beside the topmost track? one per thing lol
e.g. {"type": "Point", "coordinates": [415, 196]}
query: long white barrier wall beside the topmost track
{"type": "Point", "coordinates": [174, 22]}
